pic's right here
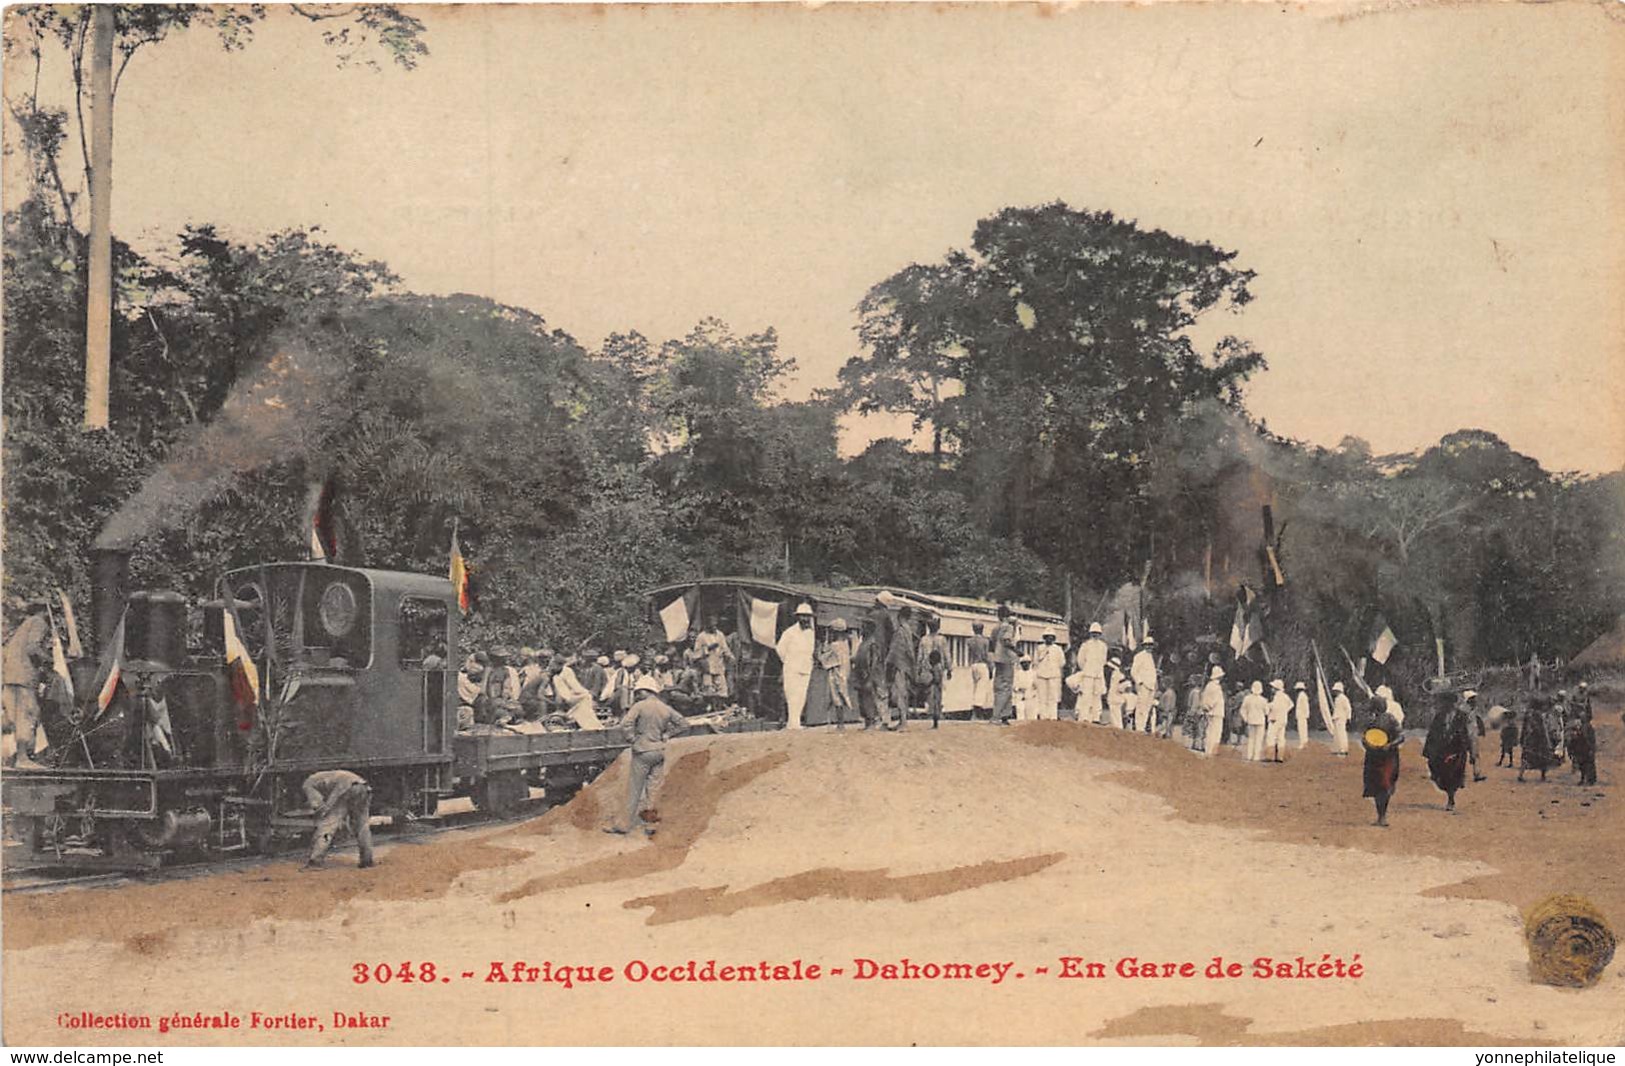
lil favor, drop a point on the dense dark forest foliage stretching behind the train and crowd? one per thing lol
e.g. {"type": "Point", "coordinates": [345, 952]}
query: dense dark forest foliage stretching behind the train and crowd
{"type": "Point", "coordinates": [1083, 443]}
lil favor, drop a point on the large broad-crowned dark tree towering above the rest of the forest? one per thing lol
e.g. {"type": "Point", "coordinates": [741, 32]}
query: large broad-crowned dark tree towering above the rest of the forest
{"type": "Point", "coordinates": [1051, 360]}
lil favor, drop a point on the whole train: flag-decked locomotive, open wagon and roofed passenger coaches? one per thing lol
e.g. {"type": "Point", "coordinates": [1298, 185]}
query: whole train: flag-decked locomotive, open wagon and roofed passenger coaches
{"type": "Point", "coordinates": [357, 669]}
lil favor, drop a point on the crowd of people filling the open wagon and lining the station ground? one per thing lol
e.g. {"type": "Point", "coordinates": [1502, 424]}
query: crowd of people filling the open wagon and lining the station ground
{"type": "Point", "coordinates": [895, 665]}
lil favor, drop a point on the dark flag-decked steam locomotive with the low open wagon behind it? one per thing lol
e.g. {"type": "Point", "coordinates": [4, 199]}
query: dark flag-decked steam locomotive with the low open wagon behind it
{"type": "Point", "coordinates": [355, 670]}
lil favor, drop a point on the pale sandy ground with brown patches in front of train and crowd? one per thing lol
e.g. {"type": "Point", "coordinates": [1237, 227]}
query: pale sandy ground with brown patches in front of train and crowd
{"type": "Point", "coordinates": [969, 844]}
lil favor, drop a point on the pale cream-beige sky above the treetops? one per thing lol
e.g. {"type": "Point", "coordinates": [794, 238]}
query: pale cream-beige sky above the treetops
{"type": "Point", "coordinates": [1432, 197]}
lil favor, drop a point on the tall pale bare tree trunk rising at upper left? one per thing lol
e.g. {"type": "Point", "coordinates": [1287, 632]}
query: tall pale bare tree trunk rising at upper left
{"type": "Point", "coordinates": [98, 313]}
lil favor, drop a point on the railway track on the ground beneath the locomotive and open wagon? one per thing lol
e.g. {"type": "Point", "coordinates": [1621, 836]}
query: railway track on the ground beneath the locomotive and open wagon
{"type": "Point", "coordinates": [457, 817]}
